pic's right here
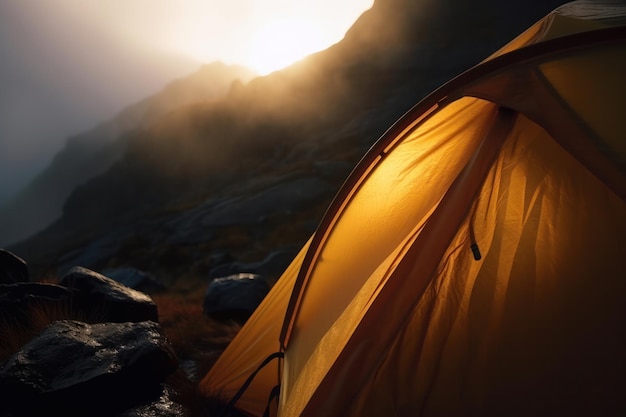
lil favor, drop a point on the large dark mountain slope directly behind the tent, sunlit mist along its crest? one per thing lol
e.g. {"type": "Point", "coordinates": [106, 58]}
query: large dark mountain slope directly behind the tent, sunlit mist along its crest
{"type": "Point", "coordinates": [253, 172]}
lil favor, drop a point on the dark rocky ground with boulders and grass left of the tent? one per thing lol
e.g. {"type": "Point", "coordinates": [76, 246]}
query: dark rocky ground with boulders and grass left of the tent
{"type": "Point", "coordinates": [90, 345]}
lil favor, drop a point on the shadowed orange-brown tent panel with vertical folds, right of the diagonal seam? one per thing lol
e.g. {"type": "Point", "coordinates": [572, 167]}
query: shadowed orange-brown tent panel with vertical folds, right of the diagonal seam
{"type": "Point", "coordinates": [492, 337]}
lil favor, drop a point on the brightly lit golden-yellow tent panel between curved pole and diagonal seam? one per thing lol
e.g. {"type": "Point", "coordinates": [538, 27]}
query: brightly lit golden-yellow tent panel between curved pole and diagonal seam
{"type": "Point", "coordinates": [389, 203]}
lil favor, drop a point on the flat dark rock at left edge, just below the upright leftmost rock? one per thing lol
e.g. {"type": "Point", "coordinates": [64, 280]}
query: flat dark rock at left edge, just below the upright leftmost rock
{"type": "Point", "coordinates": [17, 301]}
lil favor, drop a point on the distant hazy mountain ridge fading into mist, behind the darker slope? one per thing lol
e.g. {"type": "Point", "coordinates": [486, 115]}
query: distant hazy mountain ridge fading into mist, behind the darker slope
{"type": "Point", "coordinates": [91, 153]}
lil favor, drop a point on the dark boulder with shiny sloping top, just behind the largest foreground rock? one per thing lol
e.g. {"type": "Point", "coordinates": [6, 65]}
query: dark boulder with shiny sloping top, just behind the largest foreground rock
{"type": "Point", "coordinates": [115, 302]}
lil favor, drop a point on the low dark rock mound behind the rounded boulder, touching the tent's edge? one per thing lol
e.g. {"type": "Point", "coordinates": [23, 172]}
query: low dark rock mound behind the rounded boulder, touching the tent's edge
{"type": "Point", "coordinates": [270, 268]}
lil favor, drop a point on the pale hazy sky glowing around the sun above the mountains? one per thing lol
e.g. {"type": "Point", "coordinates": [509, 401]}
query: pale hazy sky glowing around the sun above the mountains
{"type": "Point", "coordinates": [66, 65]}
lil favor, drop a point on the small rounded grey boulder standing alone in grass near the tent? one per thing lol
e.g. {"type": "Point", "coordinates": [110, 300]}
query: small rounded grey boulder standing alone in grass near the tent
{"type": "Point", "coordinates": [235, 296]}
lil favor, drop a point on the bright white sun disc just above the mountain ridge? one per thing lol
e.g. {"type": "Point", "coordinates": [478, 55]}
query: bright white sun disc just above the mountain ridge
{"type": "Point", "coordinates": [280, 43]}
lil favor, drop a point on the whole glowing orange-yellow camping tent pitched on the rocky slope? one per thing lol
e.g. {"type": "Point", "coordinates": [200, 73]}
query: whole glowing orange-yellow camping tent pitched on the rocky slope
{"type": "Point", "coordinates": [474, 262]}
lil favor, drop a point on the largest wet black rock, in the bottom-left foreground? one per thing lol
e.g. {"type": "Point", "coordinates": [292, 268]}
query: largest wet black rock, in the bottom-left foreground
{"type": "Point", "coordinates": [72, 368]}
